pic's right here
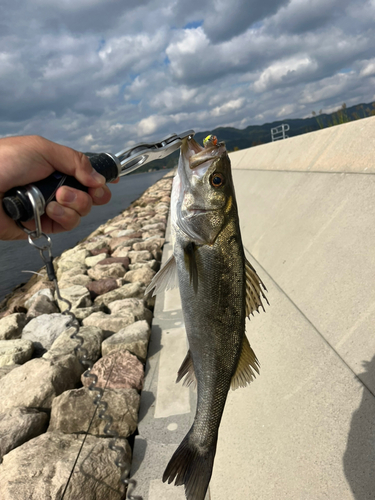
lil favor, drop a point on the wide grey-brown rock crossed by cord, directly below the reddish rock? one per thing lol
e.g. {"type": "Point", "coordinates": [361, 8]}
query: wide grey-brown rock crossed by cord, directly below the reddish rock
{"type": "Point", "coordinates": [72, 412]}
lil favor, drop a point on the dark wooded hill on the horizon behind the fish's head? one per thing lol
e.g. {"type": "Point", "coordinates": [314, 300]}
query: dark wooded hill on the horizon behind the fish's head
{"type": "Point", "coordinates": [254, 135]}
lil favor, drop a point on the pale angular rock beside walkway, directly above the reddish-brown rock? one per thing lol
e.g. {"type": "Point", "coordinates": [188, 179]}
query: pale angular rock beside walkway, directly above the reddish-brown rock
{"type": "Point", "coordinates": [134, 338]}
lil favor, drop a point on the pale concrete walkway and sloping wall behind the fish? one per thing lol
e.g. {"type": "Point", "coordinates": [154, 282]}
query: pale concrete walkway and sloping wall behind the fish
{"type": "Point", "coordinates": [305, 429]}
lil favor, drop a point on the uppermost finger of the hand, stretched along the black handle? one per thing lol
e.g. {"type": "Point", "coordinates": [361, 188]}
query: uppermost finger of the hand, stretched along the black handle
{"type": "Point", "coordinates": [69, 162]}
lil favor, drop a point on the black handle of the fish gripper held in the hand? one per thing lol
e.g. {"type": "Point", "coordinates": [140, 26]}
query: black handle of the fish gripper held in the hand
{"type": "Point", "coordinates": [16, 202]}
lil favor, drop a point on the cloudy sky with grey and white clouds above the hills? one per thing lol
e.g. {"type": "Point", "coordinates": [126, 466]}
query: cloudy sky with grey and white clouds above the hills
{"type": "Point", "coordinates": [105, 74]}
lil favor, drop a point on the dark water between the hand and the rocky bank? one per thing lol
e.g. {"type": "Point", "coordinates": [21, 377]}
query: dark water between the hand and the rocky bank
{"type": "Point", "coordinates": [16, 256]}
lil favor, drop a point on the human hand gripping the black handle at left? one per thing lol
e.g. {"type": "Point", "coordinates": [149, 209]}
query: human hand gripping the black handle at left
{"type": "Point", "coordinates": [27, 159]}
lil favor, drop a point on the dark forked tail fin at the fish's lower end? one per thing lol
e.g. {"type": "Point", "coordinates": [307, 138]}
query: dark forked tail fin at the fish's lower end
{"type": "Point", "coordinates": [192, 468]}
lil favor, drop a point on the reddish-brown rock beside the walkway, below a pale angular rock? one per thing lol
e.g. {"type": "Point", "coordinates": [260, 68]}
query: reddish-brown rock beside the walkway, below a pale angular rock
{"type": "Point", "coordinates": [117, 370]}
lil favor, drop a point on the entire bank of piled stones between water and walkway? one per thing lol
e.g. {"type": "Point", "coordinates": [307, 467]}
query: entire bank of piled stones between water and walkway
{"type": "Point", "coordinates": [45, 404]}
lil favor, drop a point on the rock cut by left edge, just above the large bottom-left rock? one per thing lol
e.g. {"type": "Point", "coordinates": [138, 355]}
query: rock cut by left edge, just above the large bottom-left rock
{"type": "Point", "coordinates": [19, 425]}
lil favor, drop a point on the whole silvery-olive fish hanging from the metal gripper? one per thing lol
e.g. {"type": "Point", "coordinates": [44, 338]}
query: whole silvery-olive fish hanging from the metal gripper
{"type": "Point", "coordinates": [219, 288]}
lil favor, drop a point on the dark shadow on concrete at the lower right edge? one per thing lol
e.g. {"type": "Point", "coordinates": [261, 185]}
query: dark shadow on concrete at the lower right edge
{"type": "Point", "coordinates": [359, 456]}
